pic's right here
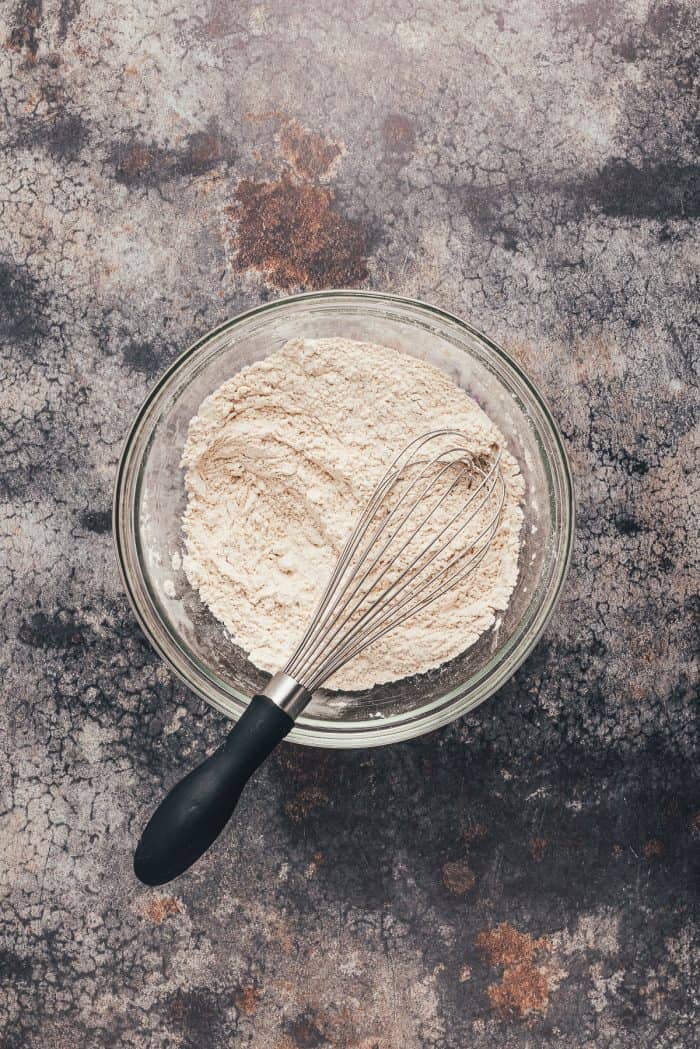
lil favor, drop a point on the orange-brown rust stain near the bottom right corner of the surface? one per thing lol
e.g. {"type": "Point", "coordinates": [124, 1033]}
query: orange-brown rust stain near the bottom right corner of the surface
{"type": "Point", "coordinates": [524, 988]}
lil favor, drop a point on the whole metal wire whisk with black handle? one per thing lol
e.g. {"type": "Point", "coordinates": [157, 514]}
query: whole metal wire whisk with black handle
{"type": "Point", "coordinates": [428, 527]}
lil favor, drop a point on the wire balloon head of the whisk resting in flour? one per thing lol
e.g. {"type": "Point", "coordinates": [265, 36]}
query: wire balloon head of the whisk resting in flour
{"type": "Point", "coordinates": [428, 527]}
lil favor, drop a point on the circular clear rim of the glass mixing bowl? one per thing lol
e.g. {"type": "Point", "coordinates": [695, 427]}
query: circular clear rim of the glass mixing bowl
{"type": "Point", "coordinates": [381, 732]}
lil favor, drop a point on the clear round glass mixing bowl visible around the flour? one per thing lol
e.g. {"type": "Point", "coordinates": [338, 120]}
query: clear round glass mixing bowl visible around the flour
{"type": "Point", "coordinates": [150, 500]}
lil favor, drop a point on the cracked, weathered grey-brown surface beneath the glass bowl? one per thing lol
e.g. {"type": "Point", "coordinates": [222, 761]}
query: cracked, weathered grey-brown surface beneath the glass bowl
{"type": "Point", "coordinates": [526, 876]}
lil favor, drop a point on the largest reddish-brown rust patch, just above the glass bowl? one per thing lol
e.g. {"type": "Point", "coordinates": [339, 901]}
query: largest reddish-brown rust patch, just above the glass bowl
{"type": "Point", "coordinates": [294, 234]}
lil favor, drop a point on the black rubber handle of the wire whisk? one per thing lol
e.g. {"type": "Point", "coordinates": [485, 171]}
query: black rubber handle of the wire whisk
{"type": "Point", "coordinates": [198, 809]}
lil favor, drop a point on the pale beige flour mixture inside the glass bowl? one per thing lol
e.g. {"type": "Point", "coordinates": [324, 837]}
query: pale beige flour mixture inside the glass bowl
{"type": "Point", "coordinates": [280, 462]}
